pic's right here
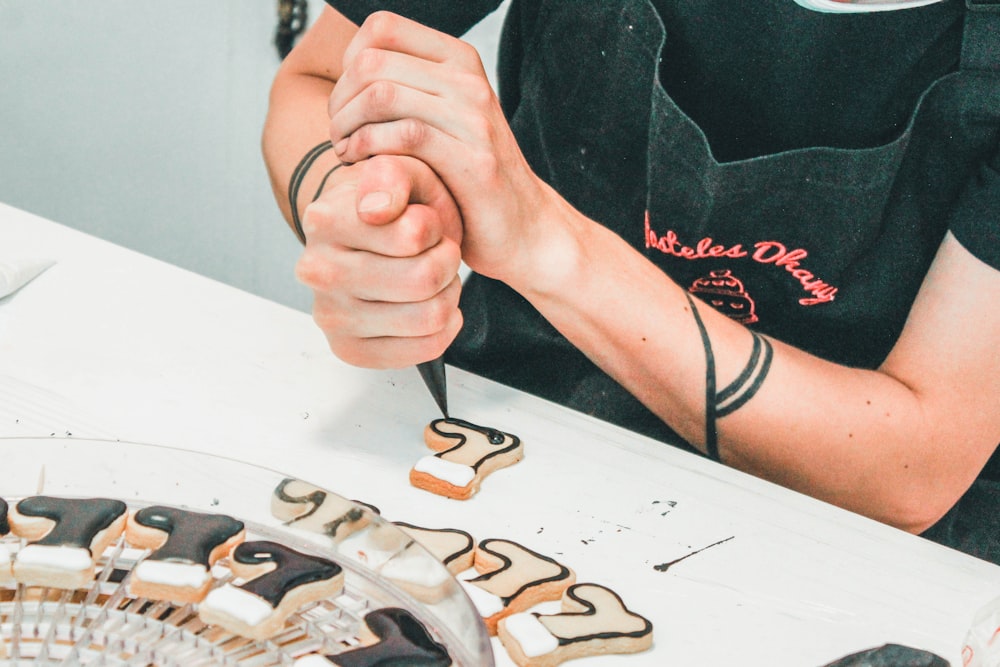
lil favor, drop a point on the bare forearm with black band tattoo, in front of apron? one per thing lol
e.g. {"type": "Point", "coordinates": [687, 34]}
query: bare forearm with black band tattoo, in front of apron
{"type": "Point", "coordinates": [861, 439]}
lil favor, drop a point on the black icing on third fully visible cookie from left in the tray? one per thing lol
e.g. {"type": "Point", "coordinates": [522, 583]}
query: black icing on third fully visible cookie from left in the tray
{"type": "Point", "coordinates": [292, 569]}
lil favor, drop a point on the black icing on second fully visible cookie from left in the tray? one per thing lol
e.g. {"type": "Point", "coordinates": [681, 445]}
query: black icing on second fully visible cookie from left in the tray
{"type": "Point", "coordinates": [192, 536]}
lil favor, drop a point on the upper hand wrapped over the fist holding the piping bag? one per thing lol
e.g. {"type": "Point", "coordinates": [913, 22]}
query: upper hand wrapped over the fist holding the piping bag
{"type": "Point", "coordinates": [409, 90]}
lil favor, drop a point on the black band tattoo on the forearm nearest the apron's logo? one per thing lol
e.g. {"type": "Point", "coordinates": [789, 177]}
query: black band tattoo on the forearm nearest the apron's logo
{"type": "Point", "coordinates": [739, 391]}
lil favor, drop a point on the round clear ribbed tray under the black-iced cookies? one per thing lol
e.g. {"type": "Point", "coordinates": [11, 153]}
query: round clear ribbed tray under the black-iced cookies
{"type": "Point", "coordinates": [106, 625]}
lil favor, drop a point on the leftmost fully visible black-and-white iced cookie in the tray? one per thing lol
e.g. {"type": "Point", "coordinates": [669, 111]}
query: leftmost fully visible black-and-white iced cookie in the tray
{"type": "Point", "coordinates": [65, 536]}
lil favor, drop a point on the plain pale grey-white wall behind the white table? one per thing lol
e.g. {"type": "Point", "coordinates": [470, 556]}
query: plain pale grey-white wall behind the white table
{"type": "Point", "coordinates": [139, 122]}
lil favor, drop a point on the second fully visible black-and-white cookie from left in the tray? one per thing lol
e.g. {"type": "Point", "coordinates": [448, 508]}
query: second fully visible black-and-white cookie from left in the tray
{"type": "Point", "coordinates": [185, 545]}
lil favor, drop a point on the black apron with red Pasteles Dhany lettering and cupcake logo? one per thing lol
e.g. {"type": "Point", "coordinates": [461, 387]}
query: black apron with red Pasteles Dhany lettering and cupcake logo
{"type": "Point", "coordinates": [824, 248]}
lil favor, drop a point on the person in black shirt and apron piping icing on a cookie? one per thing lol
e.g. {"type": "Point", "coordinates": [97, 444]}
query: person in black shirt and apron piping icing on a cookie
{"type": "Point", "coordinates": [762, 230]}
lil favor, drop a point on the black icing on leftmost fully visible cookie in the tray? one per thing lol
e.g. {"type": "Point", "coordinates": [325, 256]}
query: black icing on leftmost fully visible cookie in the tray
{"type": "Point", "coordinates": [77, 520]}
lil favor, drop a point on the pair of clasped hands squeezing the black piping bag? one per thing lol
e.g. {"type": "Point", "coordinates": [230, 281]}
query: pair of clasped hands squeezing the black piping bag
{"type": "Point", "coordinates": [436, 177]}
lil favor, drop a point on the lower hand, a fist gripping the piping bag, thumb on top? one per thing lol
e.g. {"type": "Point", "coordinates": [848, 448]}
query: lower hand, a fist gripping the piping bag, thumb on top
{"type": "Point", "coordinates": [382, 257]}
